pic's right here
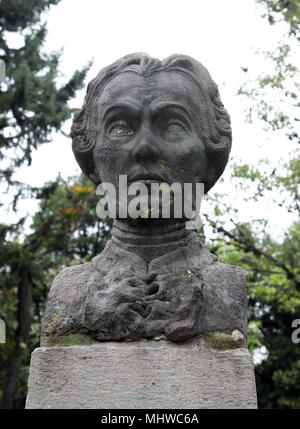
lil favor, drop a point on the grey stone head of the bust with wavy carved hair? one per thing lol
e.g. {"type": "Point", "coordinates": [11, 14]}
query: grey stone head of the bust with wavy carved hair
{"type": "Point", "coordinates": [152, 119]}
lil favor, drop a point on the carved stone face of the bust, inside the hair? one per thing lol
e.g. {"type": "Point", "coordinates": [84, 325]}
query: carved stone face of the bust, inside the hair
{"type": "Point", "coordinates": [149, 130]}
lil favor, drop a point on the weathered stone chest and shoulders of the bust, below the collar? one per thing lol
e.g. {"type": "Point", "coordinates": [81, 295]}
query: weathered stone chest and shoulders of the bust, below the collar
{"type": "Point", "coordinates": [119, 296]}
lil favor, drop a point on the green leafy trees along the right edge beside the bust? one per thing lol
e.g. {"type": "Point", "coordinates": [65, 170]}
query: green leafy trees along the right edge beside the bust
{"type": "Point", "coordinates": [271, 260]}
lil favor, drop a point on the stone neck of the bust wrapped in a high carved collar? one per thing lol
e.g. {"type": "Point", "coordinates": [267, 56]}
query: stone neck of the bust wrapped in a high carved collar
{"type": "Point", "coordinates": [149, 241]}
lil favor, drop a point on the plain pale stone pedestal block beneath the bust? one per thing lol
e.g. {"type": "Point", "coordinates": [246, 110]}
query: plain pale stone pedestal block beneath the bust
{"type": "Point", "coordinates": [142, 374]}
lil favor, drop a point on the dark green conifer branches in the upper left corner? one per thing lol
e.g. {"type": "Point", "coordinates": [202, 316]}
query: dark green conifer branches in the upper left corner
{"type": "Point", "coordinates": [31, 104]}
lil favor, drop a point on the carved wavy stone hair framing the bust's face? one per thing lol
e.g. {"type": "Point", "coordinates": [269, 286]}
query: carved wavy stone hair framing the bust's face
{"type": "Point", "coordinates": [214, 120]}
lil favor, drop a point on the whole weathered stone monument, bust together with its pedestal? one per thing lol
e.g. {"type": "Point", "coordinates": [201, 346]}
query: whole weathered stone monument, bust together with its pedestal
{"type": "Point", "coordinates": [155, 122]}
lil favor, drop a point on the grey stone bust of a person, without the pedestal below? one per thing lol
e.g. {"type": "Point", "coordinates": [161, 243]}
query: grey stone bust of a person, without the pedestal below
{"type": "Point", "coordinates": [154, 121]}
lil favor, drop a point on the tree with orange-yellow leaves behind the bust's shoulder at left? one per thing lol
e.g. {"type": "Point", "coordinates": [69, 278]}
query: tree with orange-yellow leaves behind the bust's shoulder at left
{"type": "Point", "coordinates": [65, 231]}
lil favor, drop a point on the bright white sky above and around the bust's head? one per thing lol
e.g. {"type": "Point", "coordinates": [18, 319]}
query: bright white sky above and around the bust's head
{"type": "Point", "coordinates": [223, 35]}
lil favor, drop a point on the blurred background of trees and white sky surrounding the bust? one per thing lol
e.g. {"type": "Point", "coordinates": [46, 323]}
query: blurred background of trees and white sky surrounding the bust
{"type": "Point", "coordinates": [51, 50]}
